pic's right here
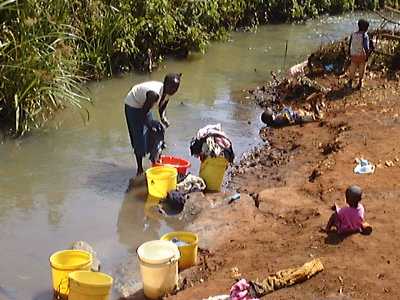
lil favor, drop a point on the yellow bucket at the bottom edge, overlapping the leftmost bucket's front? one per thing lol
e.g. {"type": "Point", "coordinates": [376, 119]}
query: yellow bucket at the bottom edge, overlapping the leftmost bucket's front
{"type": "Point", "coordinates": [86, 285]}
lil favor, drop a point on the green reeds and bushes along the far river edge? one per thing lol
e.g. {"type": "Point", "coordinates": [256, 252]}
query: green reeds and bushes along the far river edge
{"type": "Point", "coordinates": [47, 48]}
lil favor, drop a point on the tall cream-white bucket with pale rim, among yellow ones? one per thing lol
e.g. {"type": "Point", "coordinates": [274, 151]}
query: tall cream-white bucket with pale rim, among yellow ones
{"type": "Point", "coordinates": [158, 267]}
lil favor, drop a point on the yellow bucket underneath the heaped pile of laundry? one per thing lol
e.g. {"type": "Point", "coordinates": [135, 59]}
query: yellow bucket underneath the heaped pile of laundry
{"type": "Point", "coordinates": [212, 170]}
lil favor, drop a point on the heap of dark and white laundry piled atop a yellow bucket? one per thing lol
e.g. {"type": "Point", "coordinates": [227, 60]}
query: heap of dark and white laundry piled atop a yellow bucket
{"type": "Point", "coordinates": [211, 141]}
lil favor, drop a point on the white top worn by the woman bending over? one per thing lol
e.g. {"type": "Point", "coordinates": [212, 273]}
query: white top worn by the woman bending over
{"type": "Point", "coordinates": [137, 95]}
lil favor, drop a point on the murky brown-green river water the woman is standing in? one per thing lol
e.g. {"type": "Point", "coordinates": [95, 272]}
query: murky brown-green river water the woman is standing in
{"type": "Point", "coordinates": [68, 184]}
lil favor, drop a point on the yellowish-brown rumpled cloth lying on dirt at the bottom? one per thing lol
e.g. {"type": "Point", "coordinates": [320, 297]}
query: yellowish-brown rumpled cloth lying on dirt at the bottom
{"type": "Point", "coordinates": [285, 278]}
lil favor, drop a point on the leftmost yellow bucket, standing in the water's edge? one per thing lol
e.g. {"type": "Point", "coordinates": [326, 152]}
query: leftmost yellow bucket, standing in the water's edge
{"type": "Point", "coordinates": [64, 262]}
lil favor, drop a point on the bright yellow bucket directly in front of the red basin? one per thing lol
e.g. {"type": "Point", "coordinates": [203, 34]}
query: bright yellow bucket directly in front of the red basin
{"type": "Point", "coordinates": [161, 180]}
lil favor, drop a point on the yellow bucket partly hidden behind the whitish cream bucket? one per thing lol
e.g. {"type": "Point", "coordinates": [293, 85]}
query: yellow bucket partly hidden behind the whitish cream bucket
{"type": "Point", "coordinates": [189, 251]}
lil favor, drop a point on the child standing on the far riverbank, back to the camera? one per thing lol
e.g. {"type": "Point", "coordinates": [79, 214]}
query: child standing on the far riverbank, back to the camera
{"type": "Point", "coordinates": [359, 48]}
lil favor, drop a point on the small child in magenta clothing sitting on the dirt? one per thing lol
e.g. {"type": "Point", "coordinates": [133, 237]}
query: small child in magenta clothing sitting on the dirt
{"type": "Point", "coordinates": [350, 219]}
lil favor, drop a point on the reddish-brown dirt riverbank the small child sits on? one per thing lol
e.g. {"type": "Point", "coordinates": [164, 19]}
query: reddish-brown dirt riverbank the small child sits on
{"type": "Point", "coordinates": [288, 186]}
